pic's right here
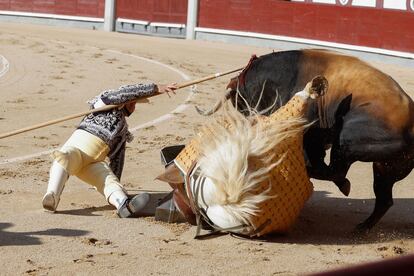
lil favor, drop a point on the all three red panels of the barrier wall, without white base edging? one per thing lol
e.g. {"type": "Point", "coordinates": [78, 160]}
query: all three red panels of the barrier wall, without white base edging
{"type": "Point", "coordinates": [362, 26]}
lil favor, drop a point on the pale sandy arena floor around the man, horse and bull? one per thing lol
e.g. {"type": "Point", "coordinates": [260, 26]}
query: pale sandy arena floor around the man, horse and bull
{"type": "Point", "coordinates": [54, 71]}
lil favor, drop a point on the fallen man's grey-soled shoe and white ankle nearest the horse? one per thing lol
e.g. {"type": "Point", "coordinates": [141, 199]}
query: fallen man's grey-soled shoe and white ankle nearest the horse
{"type": "Point", "coordinates": [128, 207]}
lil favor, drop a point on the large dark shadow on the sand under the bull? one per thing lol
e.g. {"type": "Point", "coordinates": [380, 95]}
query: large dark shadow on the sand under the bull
{"type": "Point", "coordinates": [332, 220]}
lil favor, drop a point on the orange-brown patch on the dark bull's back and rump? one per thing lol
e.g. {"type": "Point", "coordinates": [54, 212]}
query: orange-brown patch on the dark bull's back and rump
{"type": "Point", "coordinates": [373, 92]}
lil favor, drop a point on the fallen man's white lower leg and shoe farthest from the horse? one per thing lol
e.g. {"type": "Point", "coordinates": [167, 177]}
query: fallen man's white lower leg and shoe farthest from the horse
{"type": "Point", "coordinates": [57, 179]}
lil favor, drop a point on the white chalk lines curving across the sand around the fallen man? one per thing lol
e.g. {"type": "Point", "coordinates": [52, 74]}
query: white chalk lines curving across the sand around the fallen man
{"type": "Point", "coordinates": [158, 120]}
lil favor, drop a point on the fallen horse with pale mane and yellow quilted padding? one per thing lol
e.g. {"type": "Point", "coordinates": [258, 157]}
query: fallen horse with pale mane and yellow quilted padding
{"type": "Point", "coordinates": [245, 175]}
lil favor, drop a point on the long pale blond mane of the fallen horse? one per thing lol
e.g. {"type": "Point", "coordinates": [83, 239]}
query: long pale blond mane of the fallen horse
{"type": "Point", "coordinates": [225, 157]}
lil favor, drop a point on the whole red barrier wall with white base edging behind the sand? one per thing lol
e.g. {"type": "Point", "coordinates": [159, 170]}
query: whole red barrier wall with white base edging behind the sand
{"type": "Point", "coordinates": [381, 26]}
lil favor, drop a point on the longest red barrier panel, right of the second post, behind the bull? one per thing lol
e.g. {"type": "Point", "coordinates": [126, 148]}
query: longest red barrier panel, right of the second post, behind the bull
{"type": "Point", "coordinates": [372, 27]}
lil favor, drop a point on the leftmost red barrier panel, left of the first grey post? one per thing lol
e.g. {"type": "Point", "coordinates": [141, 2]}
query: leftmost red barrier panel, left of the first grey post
{"type": "Point", "coordinates": [89, 8]}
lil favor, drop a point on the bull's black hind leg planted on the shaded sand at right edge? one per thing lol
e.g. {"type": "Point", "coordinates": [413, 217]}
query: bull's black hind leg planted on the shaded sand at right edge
{"type": "Point", "coordinates": [385, 175]}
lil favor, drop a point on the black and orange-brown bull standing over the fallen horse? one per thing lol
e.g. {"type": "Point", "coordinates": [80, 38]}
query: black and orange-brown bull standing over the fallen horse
{"type": "Point", "coordinates": [364, 116]}
